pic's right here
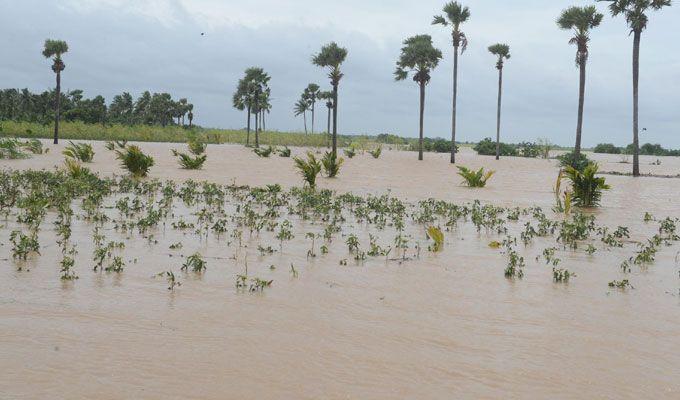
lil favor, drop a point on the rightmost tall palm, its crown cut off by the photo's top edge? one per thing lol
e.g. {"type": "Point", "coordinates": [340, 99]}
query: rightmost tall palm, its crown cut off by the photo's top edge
{"type": "Point", "coordinates": [635, 13]}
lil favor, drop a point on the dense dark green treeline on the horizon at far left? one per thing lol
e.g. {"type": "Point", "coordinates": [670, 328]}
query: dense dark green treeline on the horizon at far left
{"type": "Point", "coordinates": [148, 109]}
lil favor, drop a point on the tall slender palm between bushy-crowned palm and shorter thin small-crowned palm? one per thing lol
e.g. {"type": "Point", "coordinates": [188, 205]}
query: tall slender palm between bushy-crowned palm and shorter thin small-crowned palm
{"type": "Point", "coordinates": [455, 15]}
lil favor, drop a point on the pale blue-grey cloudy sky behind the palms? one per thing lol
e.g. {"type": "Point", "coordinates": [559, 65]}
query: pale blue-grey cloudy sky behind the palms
{"type": "Point", "coordinates": [156, 45]}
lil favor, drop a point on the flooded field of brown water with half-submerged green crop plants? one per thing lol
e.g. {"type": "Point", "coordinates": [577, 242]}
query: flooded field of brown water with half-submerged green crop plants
{"type": "Point", "coordinates": [338, 296]}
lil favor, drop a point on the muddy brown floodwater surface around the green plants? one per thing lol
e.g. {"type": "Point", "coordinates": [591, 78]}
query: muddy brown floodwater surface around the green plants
{"type": "Point", "coordinates": [446, 325]}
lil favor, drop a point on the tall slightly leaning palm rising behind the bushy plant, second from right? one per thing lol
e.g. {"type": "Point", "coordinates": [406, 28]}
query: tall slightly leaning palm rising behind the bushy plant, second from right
{"type": "Point", "coordinates": [581, 20]}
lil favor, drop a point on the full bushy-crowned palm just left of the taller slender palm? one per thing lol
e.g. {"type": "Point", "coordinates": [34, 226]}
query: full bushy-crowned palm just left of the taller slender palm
{"type": "Point", "coordinates": [419, 57]}
